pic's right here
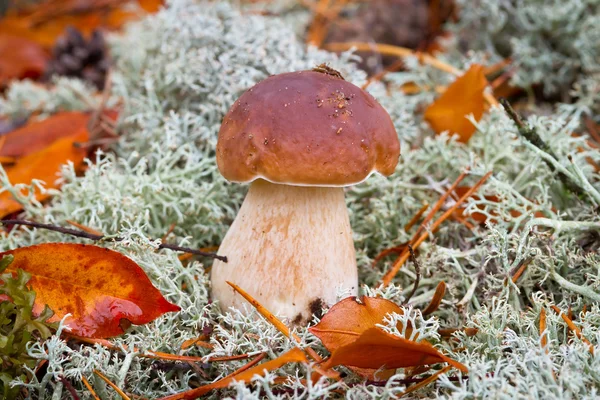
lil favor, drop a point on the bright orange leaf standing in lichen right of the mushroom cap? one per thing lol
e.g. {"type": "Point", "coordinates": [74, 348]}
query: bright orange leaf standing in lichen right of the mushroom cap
{"type": "Point", "coordinates": [463, 97]}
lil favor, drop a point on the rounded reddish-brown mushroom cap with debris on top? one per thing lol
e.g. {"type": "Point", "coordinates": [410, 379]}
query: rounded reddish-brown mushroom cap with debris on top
{"type": "Point", "coordinates": [306, 128]}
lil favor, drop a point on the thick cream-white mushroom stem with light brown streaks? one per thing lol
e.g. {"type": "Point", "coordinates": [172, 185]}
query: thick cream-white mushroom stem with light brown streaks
{"type": "Point", "coordinates": [291, 248]}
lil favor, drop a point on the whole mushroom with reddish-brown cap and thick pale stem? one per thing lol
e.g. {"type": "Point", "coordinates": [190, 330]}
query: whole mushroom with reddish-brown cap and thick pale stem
{"type": "Point", "coordinates": [299, 138]}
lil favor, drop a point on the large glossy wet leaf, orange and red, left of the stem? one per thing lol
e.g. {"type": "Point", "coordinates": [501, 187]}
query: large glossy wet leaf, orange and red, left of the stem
{"type": "Point", "coordinates": [99, 287]}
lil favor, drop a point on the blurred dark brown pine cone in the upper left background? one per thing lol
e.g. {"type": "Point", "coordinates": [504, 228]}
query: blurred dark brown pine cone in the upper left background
{"type": "Point", "coordinates": [75, 56]}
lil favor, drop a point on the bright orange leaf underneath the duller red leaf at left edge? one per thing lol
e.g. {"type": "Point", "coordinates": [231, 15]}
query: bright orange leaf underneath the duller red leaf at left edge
{"type": "Point", "coordinates": [43, 165]}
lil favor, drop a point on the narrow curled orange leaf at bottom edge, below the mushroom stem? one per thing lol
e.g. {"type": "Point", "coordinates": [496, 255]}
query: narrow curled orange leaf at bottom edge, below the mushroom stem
{"type": "Point", "coordinates": [293, 355]}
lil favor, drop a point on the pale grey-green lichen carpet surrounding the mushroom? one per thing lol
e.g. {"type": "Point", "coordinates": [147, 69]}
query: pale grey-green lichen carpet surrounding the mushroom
{"type": "Point", "coordinates": [177, 73]}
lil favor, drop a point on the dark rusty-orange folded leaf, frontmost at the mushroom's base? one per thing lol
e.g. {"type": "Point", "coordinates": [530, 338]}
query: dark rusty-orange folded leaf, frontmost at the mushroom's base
{"type": "Point", "coordinates": [376, 348]}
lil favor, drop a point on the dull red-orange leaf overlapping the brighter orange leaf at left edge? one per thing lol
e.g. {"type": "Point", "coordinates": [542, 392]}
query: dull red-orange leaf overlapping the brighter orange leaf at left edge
{"type": "Point", "coordinates": [38, 135]}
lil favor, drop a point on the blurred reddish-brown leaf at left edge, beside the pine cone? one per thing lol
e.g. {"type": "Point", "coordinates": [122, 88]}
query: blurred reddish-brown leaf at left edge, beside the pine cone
{"type": "Point", "coordinates": [20, 58]}
